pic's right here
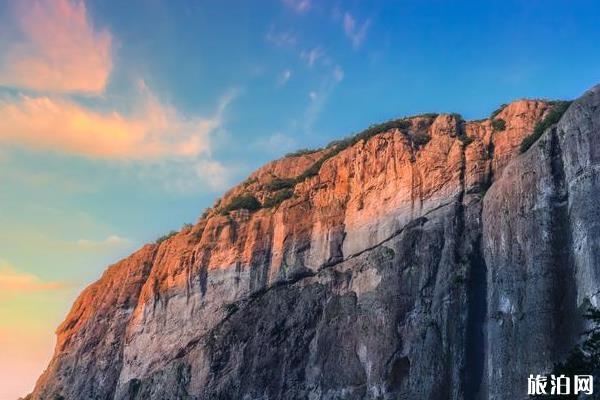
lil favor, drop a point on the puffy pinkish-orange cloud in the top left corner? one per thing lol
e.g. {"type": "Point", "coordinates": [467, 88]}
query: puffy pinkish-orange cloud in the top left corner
{"type": "Point", "coordinates": [58, 49]}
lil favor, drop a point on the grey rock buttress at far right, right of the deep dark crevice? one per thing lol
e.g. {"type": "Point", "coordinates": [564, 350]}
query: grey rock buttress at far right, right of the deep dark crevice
{"type": "Point", "coordinates": [541, 243]}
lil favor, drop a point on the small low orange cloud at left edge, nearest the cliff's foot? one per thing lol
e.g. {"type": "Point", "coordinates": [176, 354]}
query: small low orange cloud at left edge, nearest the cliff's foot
{"type": "Point", "coordinates": [15, 282]}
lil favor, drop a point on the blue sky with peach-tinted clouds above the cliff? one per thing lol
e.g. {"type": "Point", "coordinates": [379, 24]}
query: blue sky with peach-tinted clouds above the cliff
{"type": "Point", "coordinates": [120, 121]}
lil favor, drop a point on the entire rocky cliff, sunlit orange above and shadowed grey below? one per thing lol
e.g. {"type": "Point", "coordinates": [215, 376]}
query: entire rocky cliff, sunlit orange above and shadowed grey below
{"type": "Point", "coordinates": [426, 261]}
